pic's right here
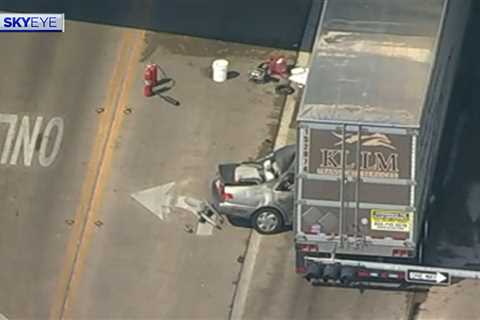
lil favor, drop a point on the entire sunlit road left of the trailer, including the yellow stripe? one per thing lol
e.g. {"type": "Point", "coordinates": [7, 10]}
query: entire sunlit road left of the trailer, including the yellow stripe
{"type": "Point", "coordinates": [80, 140]}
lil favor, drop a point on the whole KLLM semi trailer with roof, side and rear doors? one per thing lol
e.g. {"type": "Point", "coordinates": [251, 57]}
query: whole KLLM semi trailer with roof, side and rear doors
{"type": "Point", "coordinates": [369, 127]}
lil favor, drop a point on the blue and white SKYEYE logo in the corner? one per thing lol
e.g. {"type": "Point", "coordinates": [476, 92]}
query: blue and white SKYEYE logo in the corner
{"type": "Point", "coordinates": [32, 22]}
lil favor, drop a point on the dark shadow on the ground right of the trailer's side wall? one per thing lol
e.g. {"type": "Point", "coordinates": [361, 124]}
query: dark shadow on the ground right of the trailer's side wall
{"type": "Point", "coordinates": [454, 236]}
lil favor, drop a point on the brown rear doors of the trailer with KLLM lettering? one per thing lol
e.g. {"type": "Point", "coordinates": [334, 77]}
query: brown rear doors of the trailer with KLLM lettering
{"type": "Point", "coordinates": [356, 185]}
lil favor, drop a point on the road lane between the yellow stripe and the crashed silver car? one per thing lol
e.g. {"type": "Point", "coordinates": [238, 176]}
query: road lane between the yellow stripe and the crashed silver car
{"type": "Point", "coordinates": [138, 264]}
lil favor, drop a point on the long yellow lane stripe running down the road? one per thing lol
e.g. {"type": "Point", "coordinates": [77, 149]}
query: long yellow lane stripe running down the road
{"type": "Point", "coordinates": [97, 171]}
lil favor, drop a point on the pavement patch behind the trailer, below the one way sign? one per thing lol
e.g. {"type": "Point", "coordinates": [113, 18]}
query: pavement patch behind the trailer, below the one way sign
{"type": "Point", "coordinates": [276, 292]}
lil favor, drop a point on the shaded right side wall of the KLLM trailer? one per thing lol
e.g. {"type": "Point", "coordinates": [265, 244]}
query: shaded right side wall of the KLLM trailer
{"type": "Point", "coordinates": [456, 14]}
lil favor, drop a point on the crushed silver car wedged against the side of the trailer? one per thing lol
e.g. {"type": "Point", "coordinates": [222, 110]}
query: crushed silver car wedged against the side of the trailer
{"type": "Point", "coordinates": [259, 192]}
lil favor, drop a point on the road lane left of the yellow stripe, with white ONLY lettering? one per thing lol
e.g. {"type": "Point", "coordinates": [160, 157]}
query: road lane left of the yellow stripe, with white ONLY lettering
{"type": "Point", "coordinates": [50, 88]}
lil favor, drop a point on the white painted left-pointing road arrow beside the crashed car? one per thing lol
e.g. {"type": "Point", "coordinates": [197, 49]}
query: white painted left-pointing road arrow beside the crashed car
{"type": "Point", "coordinates": [162, 199]}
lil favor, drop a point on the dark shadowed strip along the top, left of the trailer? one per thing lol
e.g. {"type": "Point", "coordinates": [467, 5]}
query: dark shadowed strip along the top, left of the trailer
{"type": "Point", "coordinates": [272, 23]}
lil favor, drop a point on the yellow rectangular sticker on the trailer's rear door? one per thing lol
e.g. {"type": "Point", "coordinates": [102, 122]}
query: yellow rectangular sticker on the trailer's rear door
{"type": "Point", "coordinates": [390, 220]}
